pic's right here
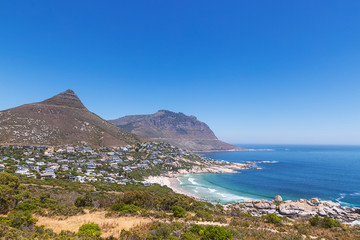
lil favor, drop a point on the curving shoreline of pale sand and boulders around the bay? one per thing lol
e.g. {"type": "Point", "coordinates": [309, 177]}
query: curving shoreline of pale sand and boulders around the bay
{"type": "Point", "coordinates": [291, 208]}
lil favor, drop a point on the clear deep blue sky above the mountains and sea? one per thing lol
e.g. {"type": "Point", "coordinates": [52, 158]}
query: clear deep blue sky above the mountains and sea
{"type": "Point", "coordinates": [254, 71]}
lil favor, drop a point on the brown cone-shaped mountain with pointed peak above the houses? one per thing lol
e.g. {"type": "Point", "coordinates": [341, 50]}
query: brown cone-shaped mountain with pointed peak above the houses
{"type": "Point", "coordinates": [60, 120]}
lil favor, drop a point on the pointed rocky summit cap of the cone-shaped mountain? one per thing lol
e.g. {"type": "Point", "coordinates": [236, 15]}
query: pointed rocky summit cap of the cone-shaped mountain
{"type": "Point", "coordinates": [66, 99]}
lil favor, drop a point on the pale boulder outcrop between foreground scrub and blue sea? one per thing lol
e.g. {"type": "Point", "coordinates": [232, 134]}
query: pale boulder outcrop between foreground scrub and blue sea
{"type": "Point", "coordinates": [299, 209]}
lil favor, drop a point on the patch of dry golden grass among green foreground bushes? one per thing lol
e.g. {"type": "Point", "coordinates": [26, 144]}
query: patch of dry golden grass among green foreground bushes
{"type": "Point", "coordinates": [110, 226]}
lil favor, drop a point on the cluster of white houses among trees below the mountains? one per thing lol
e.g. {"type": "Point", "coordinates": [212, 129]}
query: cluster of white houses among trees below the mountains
{"type": "Point", "coordinates": [85, 164]}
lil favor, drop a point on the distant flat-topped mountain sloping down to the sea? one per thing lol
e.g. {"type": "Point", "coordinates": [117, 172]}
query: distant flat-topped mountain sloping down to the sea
{"type": "Point", "coordinates": [176, 128]}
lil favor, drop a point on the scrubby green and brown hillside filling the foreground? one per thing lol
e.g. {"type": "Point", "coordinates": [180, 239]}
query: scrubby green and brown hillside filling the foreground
{"type": "Point", "coordinates": [60, 209]}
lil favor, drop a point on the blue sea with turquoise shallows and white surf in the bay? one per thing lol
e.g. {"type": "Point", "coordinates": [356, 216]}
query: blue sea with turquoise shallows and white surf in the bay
{"type": "Point", "coordinates": [325, 172]}
